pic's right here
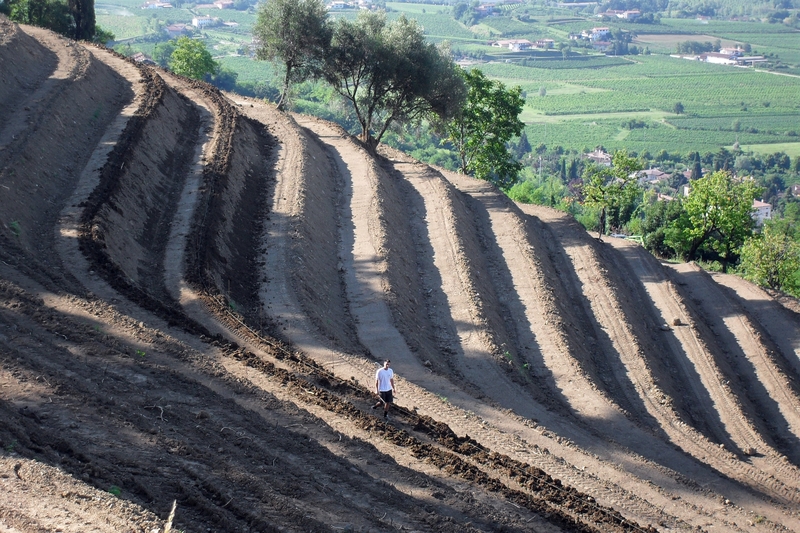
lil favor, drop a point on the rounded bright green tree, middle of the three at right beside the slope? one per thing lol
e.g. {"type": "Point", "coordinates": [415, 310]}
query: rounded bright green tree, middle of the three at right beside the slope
{"type": "Point", "coordinates": [717, 213]}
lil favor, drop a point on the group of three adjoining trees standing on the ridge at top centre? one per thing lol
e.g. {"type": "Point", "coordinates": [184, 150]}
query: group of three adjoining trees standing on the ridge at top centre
{"type": "Point", "coordinates": [388, 74]}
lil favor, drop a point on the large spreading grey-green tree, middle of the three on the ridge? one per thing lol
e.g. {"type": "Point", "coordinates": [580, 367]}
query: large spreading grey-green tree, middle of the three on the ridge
{"type": "Point", "coordinates": [389, 73]}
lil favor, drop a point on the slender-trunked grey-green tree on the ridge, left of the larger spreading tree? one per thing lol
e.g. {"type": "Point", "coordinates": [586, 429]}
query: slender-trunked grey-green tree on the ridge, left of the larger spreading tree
{"type": "Point", "coordinates": [295, 33]}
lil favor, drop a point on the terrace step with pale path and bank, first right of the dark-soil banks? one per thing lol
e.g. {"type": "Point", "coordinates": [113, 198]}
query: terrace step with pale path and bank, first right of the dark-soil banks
{"type": "Point", "coordinates": [302, 233]}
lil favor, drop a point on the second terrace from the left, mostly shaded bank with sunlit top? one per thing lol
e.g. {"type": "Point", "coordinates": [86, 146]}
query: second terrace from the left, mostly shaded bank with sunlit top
{"type": "Point", "coordinates": [41, 163]}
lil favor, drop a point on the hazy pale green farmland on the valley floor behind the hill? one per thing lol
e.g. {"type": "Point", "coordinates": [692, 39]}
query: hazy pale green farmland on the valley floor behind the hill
{"type": "Point", "coordinates": [579, 98]}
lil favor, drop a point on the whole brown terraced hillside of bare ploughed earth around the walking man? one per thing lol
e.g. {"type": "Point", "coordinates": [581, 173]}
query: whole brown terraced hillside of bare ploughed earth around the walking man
{"type": "Point", "coordinates": [197, 290]}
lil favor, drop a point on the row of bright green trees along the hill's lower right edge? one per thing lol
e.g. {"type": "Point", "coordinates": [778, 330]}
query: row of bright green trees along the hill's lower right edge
{"type": "Point", "coordinates": [714, 223]}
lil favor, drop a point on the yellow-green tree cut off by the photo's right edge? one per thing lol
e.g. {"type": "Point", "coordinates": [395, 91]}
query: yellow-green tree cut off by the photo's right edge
{"type": "Point", "coordinates": [772, 259]}
